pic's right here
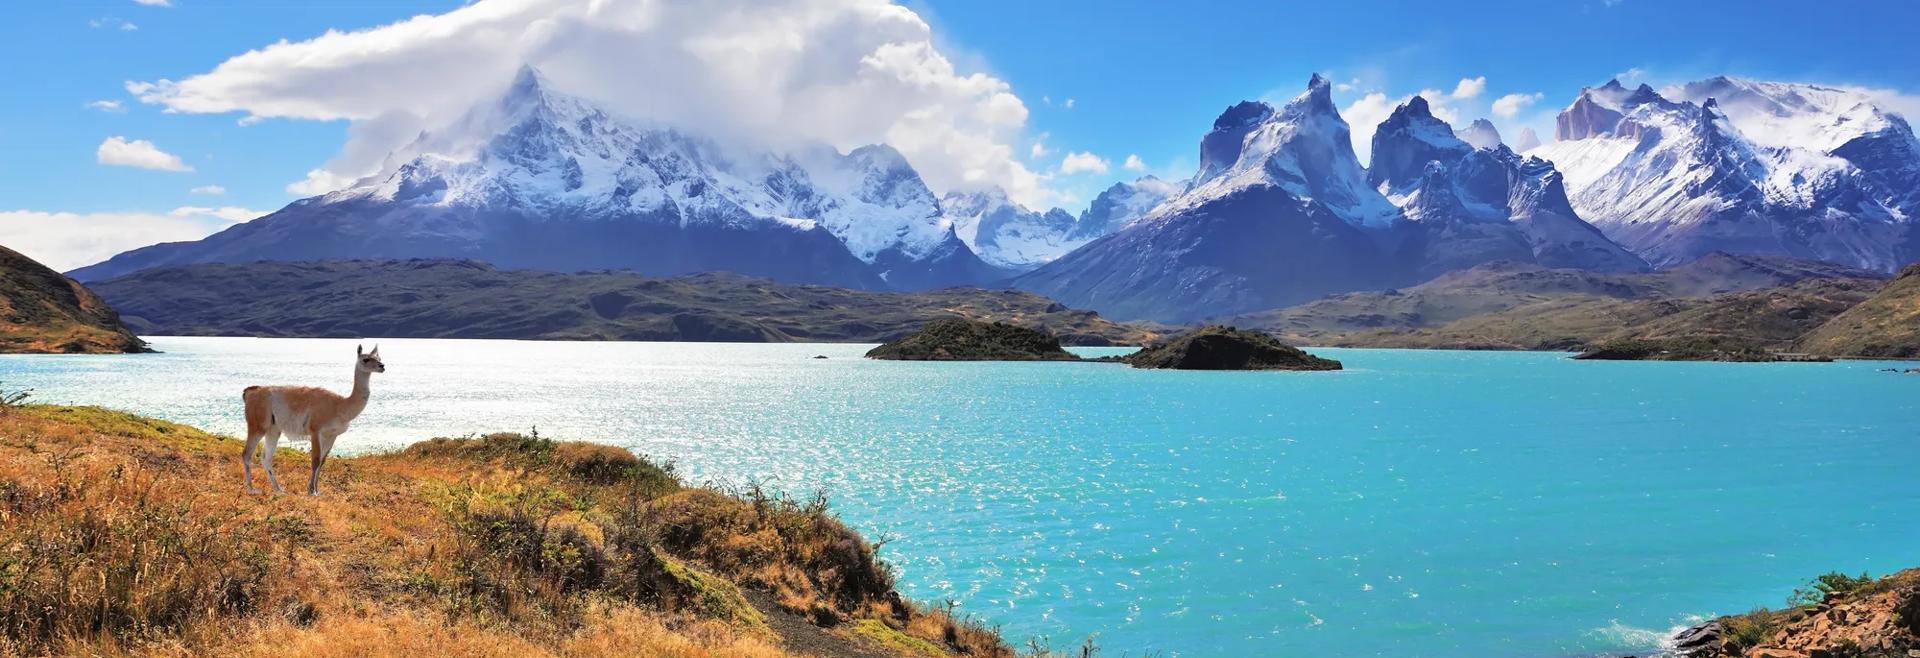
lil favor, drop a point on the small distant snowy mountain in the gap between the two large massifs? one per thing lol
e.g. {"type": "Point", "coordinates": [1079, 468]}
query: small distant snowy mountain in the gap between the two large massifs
{"type": "Point", "coordinates": [1009, 235]}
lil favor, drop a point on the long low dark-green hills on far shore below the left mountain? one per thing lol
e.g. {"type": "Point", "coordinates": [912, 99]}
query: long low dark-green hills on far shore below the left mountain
{"type": "Point", "coordinates": [473, 300]}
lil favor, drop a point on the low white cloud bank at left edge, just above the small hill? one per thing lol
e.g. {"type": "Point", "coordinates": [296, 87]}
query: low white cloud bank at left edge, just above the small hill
{"type": "Point", "coordinates": [68, 241]}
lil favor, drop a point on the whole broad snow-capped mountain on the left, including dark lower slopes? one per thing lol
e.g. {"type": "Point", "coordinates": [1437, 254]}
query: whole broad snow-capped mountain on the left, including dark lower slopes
{"type": "Point", "coordinates": [540, 179]}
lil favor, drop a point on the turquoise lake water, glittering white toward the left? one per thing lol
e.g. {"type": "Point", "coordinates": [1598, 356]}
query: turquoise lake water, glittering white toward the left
{"type": "Point", "coordinates": [1420, 504]}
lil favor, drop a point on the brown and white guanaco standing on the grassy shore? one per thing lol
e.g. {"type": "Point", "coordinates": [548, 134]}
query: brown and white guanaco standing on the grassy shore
{"type": "Point", "coordinates": [304, 410]}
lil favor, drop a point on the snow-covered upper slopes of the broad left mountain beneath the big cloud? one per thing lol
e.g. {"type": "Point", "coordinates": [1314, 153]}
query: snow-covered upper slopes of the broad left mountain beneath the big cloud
{"type": "Point", "coordinates": [554, 156]}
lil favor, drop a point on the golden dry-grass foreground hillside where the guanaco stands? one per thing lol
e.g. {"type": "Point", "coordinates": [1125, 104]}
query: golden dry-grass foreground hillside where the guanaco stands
{"type": "Point", "coordinates": [124, 536]}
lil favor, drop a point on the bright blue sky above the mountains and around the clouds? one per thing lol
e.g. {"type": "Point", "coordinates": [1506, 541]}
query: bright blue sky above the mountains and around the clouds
{"type": "Point", "coordinates": [1113, 80]}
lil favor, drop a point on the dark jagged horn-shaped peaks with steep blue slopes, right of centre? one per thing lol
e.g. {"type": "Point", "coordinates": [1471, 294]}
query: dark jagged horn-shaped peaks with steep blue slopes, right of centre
{"type": "Point", "coordinates": [1282, 212]}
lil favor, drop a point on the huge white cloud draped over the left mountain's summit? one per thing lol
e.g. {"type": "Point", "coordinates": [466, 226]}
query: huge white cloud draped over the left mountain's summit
{"type": "Point", "coordinates": [840, 72]}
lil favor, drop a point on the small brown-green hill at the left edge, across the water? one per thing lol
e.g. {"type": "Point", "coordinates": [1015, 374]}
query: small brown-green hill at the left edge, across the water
{"type": "Point", "coordinates": [43, 312]}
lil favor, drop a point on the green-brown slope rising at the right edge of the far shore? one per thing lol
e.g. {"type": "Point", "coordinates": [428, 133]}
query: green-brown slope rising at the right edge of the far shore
{"type": "Point", "coordinates": [1886, 325]}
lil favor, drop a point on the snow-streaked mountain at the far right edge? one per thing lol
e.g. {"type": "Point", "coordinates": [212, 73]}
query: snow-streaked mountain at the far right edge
{"type": "Point", "coordinates": [1744, 168]}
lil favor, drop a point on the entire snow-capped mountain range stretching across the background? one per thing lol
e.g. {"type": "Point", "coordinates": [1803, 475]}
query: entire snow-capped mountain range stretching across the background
{"type": "Point", "coordinates": [1278, 212]}
